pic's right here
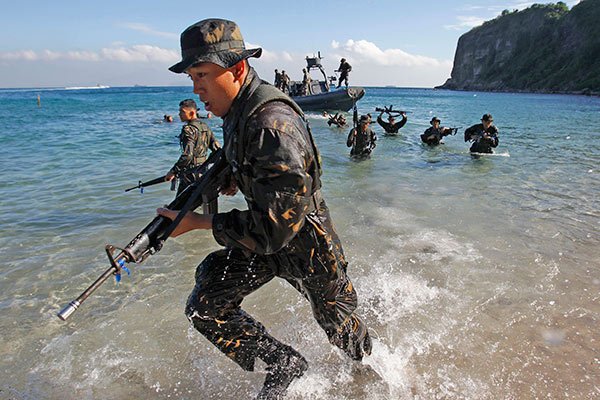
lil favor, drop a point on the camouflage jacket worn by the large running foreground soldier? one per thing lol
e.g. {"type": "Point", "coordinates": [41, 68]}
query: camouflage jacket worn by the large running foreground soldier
{"type": "Point", "coordinates": [275, 165]}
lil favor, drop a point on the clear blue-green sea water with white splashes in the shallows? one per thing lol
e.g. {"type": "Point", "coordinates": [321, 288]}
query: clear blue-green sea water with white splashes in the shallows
{"type": "Point", "coordinates": [479, 278]}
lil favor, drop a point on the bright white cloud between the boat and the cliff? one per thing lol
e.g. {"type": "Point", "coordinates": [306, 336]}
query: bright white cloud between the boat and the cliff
{"type": "Point", "coordinates": [363, 51]}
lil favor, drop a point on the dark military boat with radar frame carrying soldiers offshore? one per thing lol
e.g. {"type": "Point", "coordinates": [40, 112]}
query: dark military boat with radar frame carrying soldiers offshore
{"type": "Point", "coordinates": [322, 97]}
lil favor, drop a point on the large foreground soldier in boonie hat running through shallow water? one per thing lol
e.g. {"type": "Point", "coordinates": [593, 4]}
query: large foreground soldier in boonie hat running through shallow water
{"type": "Point", "coordinates": [286, 231]}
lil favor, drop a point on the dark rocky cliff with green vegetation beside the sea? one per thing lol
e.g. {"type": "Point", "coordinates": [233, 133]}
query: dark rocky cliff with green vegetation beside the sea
{"type": "Point", "coordinates": [545, 48]}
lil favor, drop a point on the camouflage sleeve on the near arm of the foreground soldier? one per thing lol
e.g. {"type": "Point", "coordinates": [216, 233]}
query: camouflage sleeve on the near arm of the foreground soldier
{"type": "Point", "coordinates": [277, 187]}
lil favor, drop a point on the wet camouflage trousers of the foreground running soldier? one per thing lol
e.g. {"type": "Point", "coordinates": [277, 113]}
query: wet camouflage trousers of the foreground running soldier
{"type": "Point", "coordinates": [313, 263]}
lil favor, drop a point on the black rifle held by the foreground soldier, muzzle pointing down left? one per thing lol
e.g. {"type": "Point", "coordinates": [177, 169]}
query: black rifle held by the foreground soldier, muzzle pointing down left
{"type": "Point", "coordinates": [151, 239]}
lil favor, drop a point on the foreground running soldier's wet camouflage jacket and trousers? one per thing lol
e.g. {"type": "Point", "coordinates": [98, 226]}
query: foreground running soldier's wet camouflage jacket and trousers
{"type": "Point", "coordinates": [286, 232]}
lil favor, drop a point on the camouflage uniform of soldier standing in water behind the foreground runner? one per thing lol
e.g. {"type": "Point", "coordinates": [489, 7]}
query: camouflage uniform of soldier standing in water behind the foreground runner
{"type": "Point", "coordinates": [195, 139]}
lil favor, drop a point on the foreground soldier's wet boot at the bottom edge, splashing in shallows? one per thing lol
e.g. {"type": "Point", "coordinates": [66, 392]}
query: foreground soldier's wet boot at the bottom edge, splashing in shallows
{"type": "Point", "coordinates": [284, 365]}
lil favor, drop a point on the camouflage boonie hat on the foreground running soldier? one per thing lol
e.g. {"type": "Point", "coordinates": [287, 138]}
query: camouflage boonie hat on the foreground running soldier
{"type": "Point", "coordinates": [216, 41]}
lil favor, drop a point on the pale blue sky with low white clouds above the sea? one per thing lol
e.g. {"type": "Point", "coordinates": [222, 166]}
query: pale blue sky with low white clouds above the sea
{"type": "Point", "coordinates": [122, 43]}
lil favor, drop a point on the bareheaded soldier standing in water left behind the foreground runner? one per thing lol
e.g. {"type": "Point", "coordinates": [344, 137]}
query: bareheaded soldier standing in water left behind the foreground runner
{"type": "Point", "coordinates": [195, 139]}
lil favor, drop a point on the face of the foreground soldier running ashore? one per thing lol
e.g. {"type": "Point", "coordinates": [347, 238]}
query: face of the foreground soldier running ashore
{"type": "Point", "coordinates": [216, 86]}
